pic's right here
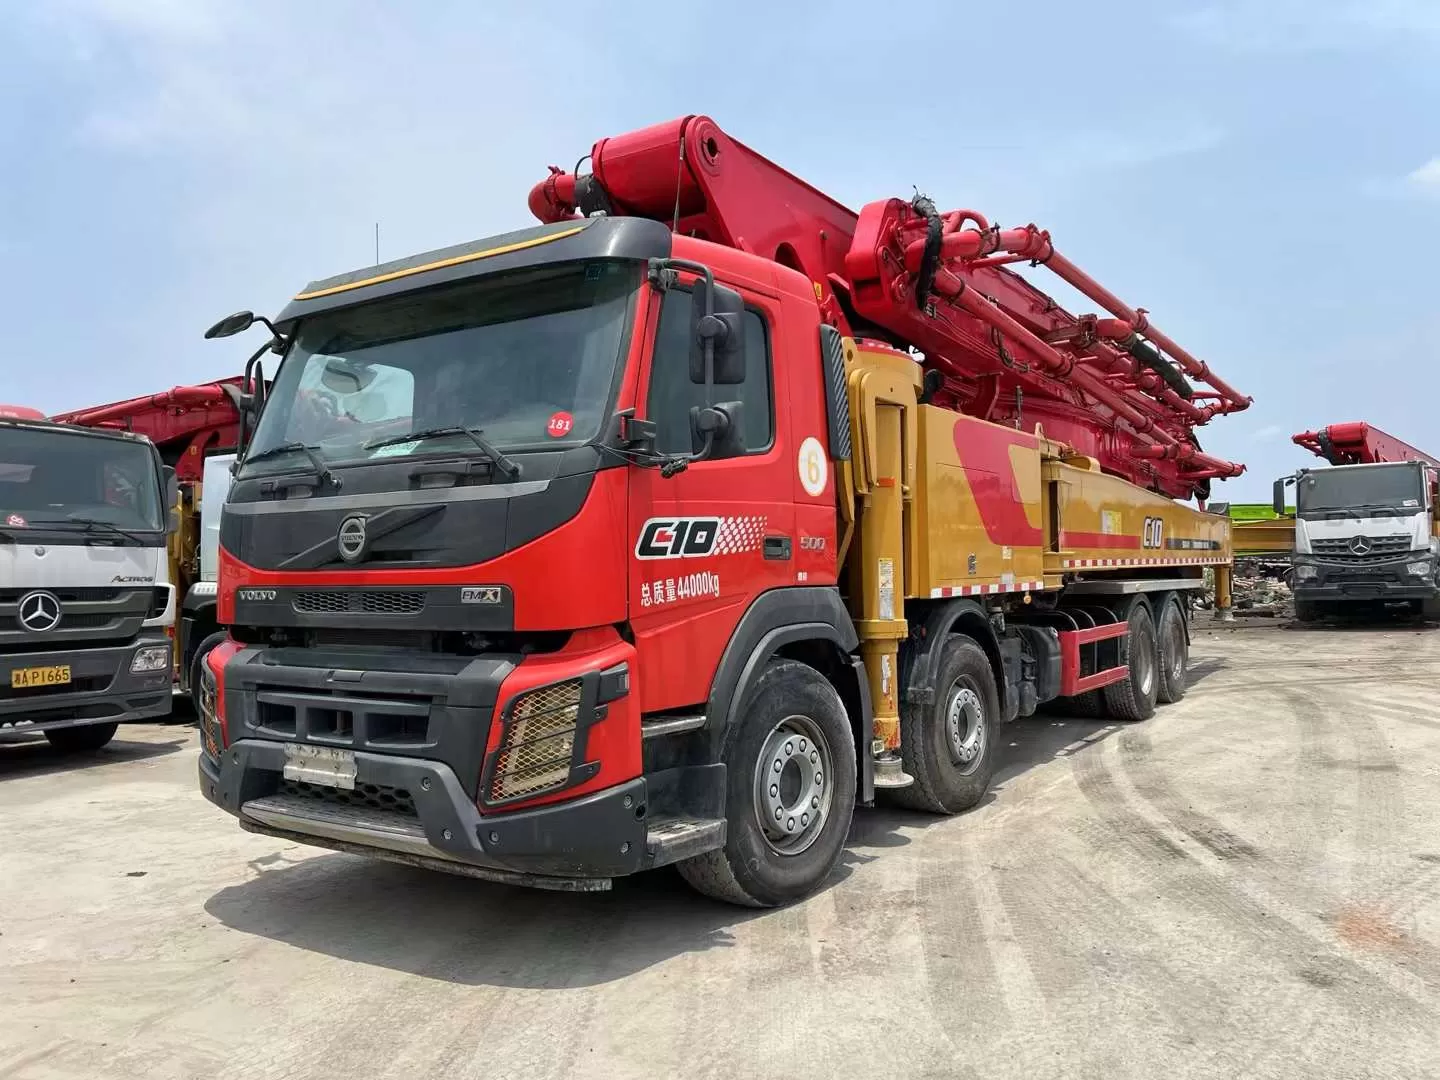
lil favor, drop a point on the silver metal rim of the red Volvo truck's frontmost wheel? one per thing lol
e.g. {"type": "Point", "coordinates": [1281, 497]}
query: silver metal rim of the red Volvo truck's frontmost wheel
{"type": "Point", "coordinates": [794, 786]}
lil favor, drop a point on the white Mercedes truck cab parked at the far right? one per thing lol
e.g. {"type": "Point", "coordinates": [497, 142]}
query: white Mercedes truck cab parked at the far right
{"type": "Point", "coordinates": [1364, 536]}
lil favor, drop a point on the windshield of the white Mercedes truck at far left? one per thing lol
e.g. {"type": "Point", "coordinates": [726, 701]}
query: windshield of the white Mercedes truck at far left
{"type": "Point", "coordinates": [58, 477]}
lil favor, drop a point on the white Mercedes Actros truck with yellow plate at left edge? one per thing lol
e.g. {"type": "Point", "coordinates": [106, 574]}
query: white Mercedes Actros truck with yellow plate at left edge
{"type": "Point", "coordinates": [87, 607]}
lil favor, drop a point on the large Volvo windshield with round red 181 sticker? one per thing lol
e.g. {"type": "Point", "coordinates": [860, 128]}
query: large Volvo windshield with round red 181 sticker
{"type": "Point", "coordinates": [528, 359]}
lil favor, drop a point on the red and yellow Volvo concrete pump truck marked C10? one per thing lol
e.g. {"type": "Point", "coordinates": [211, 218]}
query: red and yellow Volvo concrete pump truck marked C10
{"type": "Point", "coordinates": [673, 529]}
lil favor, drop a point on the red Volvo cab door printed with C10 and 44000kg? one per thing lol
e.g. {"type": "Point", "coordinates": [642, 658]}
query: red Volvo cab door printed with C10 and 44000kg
{"type": "Point", "coordinates": [714, 538]}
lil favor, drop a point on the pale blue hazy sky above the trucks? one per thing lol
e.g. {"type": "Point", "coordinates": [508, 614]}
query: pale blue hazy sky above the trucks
{"type": "Point", "coordinates": [1264, 178]}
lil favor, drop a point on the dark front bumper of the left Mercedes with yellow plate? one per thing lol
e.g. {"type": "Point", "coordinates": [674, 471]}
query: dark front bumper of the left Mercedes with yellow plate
{"type": "Point", "coordinates": [102, 689]}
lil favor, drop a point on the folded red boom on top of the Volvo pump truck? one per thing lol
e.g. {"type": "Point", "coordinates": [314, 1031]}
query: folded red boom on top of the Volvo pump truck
{"type": "Point", "coordinates": [1115, 388]}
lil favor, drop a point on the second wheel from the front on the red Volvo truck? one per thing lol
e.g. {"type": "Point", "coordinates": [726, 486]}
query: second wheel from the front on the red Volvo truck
{"type": "Point", "coordinates": [950, 747]}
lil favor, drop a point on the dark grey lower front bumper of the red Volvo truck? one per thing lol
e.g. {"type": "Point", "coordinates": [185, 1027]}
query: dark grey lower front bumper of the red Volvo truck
{"type": "Point", "coordinates": [417, 811]}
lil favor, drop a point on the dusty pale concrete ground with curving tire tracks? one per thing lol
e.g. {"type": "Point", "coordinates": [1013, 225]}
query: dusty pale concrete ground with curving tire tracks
{"type": "Point", "coordinates": [1246, 886]}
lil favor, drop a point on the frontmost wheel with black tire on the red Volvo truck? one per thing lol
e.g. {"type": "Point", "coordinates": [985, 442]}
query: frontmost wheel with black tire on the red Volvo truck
{"type": "Point", "coordinates": [790, 793]}
